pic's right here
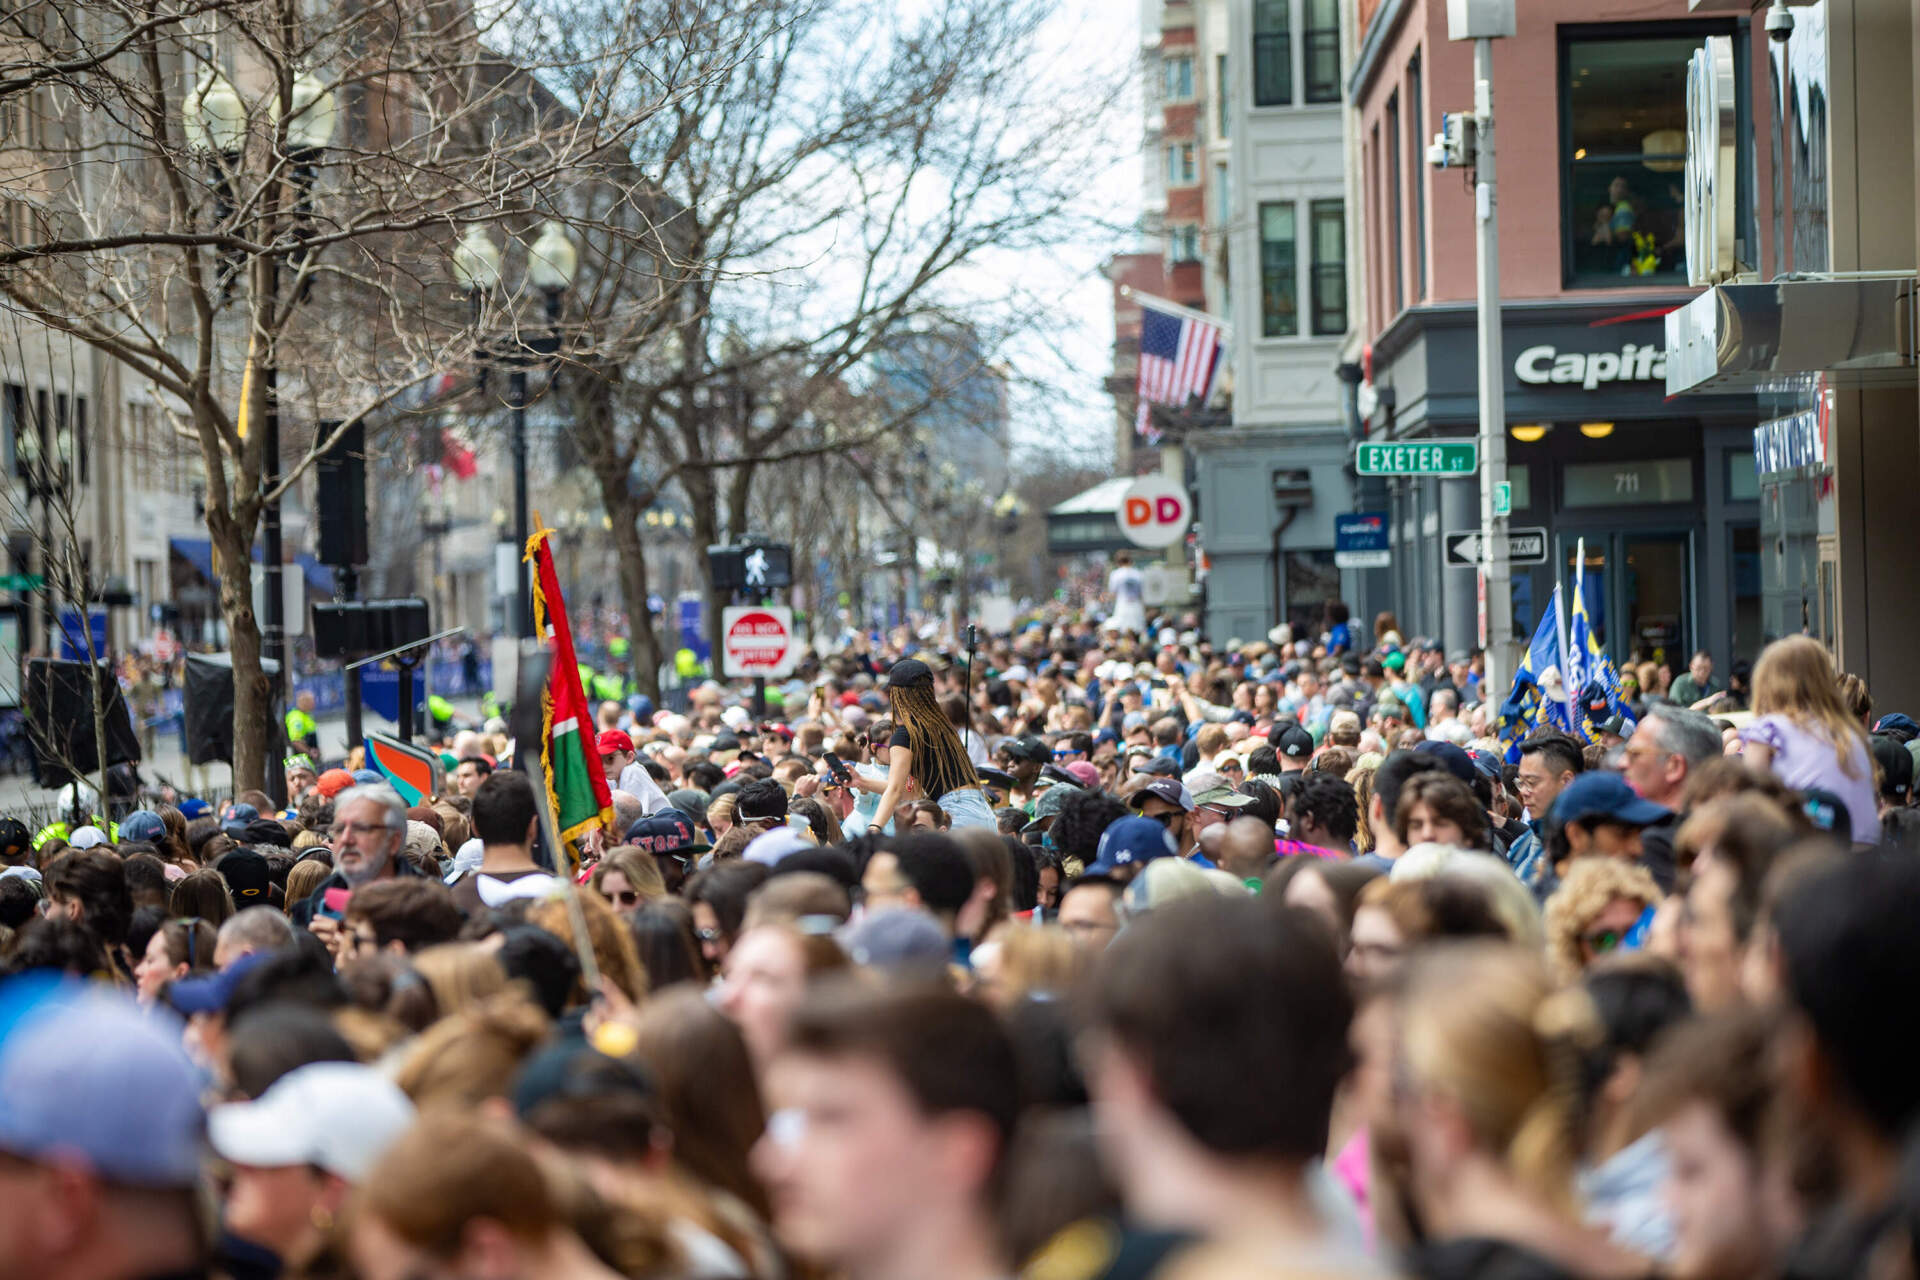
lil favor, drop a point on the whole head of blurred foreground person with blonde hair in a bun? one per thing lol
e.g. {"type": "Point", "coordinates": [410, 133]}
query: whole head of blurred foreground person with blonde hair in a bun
{"type": "Point", "coordinates": [1489, 1072]}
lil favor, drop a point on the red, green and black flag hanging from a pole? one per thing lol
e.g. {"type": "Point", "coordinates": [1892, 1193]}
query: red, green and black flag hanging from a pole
{"type": "Point", "coordinates": [577, 786]}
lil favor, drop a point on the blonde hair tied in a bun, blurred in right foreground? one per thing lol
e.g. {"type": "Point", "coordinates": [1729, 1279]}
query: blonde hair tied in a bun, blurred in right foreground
{"type": "Point", "coordinates": [1485, 1028]}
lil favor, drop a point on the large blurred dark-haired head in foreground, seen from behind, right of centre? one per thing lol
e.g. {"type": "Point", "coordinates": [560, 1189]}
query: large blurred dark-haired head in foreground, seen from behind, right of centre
{"type": "Point", "coordinates": [1172, 1033]}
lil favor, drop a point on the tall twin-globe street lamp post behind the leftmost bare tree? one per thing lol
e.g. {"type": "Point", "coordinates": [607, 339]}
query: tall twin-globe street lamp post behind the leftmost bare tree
{"type": "Point", "coordinates": [214, 118]}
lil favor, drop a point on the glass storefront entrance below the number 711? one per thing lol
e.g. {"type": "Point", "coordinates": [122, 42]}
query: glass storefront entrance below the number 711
{"type": "Point", "coordinates": [1639, 590]}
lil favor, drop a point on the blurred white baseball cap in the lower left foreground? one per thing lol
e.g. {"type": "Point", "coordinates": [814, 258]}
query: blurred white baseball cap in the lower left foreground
{"type": "Point", "coordinates": [337, 1116]}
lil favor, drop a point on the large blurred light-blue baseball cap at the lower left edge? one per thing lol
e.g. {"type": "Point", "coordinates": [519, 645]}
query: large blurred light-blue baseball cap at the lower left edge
{"type": "Point", "coordinates": [97, 1081]}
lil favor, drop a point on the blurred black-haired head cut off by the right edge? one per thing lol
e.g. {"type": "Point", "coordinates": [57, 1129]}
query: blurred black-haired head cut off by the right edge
{"type": "Point", "coordinates": [1850, 953]}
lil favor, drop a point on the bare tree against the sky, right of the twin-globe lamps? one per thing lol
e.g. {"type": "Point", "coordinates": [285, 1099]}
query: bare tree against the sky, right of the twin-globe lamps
{"type": "Point", "coordinates": [838, 176]}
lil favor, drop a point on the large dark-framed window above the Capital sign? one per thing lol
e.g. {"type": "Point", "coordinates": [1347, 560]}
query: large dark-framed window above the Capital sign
{"type": "Point", "coordinates": [1625, 166]}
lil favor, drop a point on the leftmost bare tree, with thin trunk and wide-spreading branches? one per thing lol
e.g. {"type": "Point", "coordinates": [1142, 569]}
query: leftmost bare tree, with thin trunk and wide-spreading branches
{"type": "Point", "coordinates": [251, 204]}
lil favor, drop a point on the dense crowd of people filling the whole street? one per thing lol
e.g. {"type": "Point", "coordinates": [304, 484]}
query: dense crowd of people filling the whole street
{"type": "Point", "coordinates": [1097, 955]}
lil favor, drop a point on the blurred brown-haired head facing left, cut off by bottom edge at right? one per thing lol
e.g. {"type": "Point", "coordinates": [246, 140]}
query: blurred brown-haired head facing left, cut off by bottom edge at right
{"type": "Point", "coordinates": [1710, 1087]}
